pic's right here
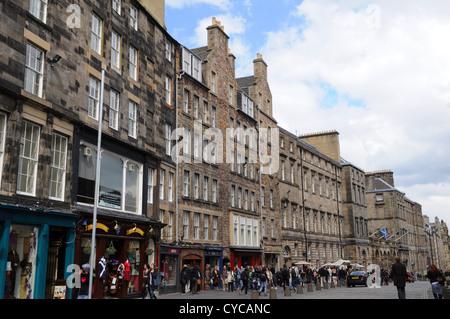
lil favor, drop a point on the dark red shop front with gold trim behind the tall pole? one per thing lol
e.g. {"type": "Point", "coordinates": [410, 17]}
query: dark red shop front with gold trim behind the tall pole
{"type": "Point", "coordinates": [123, 245]}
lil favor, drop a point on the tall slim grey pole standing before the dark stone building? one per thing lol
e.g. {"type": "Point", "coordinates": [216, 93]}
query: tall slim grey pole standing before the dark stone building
{"type": "Point", "coordinates": [97, 184]}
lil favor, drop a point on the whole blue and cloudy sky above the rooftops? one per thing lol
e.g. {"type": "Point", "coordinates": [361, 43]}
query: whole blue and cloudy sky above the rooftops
{"type": "Point", "coordinates": [376, 71]}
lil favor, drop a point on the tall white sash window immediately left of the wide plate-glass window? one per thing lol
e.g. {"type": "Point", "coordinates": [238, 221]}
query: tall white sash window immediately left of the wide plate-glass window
{"type": "Point", "coordinates": [58, 167]}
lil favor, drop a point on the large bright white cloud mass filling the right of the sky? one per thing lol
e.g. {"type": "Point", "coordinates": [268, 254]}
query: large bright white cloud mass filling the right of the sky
{"type": "Point", "coordinates": [393, 56]}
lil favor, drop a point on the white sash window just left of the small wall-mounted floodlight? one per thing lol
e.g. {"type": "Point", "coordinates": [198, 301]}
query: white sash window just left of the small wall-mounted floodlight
{"type": "Point", "coordinates": [34, 68]}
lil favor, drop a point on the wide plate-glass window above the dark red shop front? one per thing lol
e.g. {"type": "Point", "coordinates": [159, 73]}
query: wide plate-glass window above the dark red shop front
{"type": "Point", "coordinates": [119, 180]}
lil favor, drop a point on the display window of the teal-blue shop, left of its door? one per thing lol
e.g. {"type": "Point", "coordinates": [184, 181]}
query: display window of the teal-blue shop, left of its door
{"type": "Point", "coordinates": [21, 262]}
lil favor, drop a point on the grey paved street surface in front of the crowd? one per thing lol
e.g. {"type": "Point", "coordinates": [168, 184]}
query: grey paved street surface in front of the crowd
{"type": "Point", "coordinates": [417, 290]}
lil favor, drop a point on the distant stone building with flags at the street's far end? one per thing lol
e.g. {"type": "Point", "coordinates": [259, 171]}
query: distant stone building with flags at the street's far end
{"type": "Point", "coordinates": [388, 208]}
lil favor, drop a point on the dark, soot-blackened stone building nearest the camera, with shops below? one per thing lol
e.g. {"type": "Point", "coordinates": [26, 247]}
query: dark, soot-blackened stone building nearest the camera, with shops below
{"type": "Point", "coordinates": [53, 57]}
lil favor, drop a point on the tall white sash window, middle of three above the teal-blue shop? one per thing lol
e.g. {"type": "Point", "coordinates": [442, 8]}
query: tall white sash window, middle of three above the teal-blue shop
{"type": "Point", "coordinates": [28, 158]}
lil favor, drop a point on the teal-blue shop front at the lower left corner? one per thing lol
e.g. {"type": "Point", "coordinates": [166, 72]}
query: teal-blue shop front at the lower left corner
{"type": "Point", "coordinates": [36, 247]}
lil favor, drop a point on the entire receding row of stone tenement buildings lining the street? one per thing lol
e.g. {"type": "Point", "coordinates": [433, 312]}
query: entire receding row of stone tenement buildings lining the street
{"type": "Point", "coordinates": [194, 167]}
